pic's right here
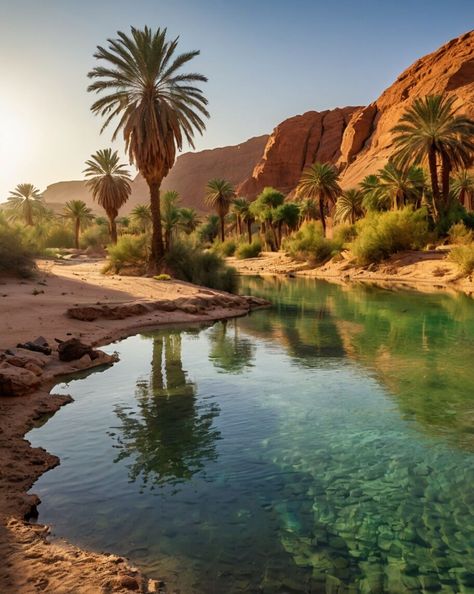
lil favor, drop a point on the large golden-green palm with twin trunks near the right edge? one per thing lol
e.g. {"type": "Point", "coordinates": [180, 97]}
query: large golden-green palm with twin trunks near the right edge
{"type": "Point", "coordinates": [432, 130]}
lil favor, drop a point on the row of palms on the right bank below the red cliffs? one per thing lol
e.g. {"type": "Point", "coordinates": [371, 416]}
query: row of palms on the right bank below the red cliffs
{"type": "Point", "coordinates": [431, 132]}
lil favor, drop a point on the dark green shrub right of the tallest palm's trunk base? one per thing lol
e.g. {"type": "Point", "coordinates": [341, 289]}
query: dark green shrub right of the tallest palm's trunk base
{"type": "Point", "coordinates": [190, 263]}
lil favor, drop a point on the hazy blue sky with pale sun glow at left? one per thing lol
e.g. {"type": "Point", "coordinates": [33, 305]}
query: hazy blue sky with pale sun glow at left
{"type": "Point", "coordinates": [266, 60]}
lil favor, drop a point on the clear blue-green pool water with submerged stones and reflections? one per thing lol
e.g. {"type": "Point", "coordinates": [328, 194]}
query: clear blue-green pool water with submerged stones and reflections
{"type": "Point", "coordinates": [325, 445]}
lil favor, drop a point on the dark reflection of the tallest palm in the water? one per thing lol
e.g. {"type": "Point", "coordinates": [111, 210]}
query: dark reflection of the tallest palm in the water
{"type": "Point", "coordinates": [171, 438]}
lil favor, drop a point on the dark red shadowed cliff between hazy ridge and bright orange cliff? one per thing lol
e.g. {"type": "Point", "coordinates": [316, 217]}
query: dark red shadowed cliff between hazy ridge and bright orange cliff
{"type": "Point", "coordinates": [295, 144]}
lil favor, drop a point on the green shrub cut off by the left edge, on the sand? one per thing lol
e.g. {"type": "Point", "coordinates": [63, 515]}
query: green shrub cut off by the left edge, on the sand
{"type": "Point", "coordinates": [16, 256]}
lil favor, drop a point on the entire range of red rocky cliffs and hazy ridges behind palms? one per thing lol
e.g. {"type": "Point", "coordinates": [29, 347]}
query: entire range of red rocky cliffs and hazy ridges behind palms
{"type": "Point", "coordinates": [356, 139]}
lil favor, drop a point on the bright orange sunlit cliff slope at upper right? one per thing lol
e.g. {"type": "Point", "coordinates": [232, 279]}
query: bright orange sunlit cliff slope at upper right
{"type": "Point", "coordinates": [367, 142]}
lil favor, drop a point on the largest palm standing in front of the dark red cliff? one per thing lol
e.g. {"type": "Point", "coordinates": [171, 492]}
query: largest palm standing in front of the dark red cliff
{"type": "Point", "coordinates": [320, 182]}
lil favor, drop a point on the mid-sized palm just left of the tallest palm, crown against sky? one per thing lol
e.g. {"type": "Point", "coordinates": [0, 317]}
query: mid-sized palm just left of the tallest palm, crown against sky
{"type": "Point", "coordinates": [109, 183]}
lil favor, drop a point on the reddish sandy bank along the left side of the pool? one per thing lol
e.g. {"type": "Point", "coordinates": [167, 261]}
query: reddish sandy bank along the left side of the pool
{"type": "Point", "coordinates": [31, 563]}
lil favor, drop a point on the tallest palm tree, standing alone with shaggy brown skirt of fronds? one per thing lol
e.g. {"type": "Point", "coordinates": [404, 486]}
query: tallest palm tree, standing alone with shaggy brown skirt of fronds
{"type": "Point", "coordinates": [157, 106]}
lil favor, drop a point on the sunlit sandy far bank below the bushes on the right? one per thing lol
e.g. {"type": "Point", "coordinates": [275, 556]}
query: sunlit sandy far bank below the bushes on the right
{"type": "Point", "coordinates": [424, 271]}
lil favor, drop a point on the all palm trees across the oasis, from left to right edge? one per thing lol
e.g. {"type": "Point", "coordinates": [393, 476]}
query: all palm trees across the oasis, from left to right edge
{"type": "Point", "coordinates": [156, 107]}
